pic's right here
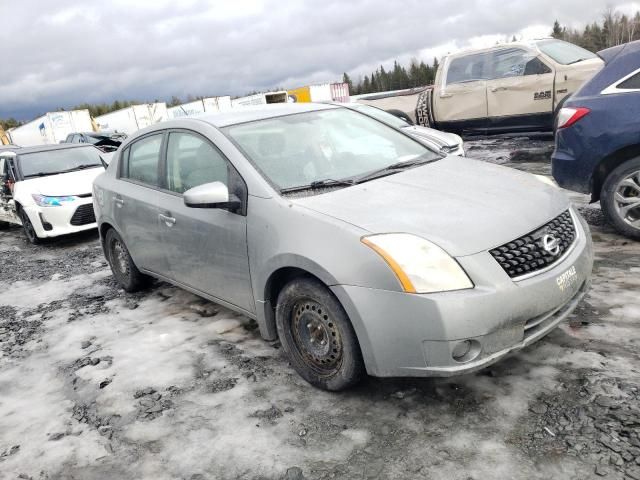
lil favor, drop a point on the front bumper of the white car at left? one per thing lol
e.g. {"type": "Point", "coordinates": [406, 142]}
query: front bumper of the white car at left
{"type": "Point", "coordinates": [55, 221]}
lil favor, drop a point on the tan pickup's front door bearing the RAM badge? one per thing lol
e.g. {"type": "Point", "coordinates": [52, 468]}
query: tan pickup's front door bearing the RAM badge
{"type": "Point", "coordinates": [520, 91]}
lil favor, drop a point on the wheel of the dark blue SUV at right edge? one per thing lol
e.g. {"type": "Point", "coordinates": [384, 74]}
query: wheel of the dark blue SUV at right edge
{"type": "Point", "coordinates": [620, 198]}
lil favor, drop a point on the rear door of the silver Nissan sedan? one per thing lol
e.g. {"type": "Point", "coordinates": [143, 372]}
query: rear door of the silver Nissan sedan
{"type": "Point", "coordinates": [135, 198]}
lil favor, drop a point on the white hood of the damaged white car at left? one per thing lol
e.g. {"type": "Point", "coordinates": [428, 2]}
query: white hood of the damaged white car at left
{"type": "Point", "coordinates": [72, 183]}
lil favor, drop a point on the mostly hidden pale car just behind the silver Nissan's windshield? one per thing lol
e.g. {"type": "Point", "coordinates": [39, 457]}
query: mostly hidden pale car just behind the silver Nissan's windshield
{"type": "Point", "coordinates": [447, 143]}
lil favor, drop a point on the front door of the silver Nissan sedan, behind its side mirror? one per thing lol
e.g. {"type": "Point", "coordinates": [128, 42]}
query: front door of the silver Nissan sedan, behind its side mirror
{"type": "Point", "coordinates": [206, 248]}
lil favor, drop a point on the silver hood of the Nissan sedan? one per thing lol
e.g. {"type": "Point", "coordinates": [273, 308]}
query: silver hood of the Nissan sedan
{"type": "Point", "coordinates": [465, 206]}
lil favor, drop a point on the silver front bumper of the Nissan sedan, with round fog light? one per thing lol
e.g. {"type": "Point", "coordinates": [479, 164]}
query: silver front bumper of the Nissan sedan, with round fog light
{"type": "Point", "coordinates": [404, 334]}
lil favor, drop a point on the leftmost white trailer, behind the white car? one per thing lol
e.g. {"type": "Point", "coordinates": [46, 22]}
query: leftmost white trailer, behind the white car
{"type": "Point", "coordinates": [52, 127]}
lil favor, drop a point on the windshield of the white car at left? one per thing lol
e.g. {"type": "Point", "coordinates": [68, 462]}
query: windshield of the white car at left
{"type": "Point", "coordinates": [52, 162]}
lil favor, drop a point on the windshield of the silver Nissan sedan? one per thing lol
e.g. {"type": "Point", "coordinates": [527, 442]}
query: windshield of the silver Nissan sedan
{"type": "Point", "coordinates": [337, 144]}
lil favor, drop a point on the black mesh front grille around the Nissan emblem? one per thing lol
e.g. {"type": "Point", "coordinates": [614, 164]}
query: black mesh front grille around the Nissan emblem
{"type": "Point", "coordinates": [527, 254]}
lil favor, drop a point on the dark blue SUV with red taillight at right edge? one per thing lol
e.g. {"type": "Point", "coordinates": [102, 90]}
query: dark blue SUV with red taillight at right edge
{"type": "Point", "coordinates": [598, 139]}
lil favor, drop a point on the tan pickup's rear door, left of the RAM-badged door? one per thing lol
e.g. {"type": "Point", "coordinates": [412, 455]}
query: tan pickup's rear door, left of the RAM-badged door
{"type": "Point", "coordinates": [461, 103]}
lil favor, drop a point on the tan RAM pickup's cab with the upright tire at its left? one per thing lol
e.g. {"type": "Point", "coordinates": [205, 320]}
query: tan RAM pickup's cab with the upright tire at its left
{"type": "Point", "coordinates": [506, 88]}
